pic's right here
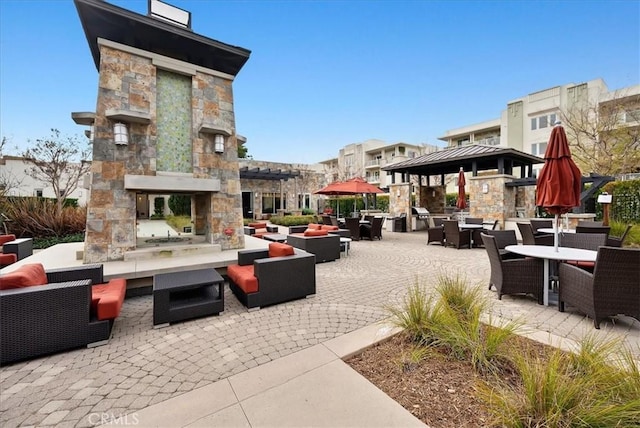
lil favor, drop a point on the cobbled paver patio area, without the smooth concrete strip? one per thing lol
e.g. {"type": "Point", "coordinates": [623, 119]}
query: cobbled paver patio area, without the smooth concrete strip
{"type": "Point", "coordinates": [141, 366]}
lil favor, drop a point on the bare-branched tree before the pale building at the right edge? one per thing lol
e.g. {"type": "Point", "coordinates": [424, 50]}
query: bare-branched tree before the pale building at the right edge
{"type": "Point", "coordinates": [605, 135]}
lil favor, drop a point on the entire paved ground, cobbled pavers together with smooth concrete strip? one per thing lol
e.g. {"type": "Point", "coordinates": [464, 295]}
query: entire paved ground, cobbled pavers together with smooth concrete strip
{"type": "Point", "coordinates": [279, 366]}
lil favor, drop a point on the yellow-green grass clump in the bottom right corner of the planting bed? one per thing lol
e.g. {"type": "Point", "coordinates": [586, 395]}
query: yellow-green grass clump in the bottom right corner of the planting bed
{"type": "Point", "coordinates": [597, 386]}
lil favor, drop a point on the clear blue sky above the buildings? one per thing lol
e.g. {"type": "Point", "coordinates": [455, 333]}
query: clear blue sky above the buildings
{"type": "Point", "coordinates": [324, 74]}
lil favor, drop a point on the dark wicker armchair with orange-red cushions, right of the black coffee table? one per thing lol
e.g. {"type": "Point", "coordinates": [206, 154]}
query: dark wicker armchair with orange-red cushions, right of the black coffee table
{"type": "Point", "coordinates": [264, 277]}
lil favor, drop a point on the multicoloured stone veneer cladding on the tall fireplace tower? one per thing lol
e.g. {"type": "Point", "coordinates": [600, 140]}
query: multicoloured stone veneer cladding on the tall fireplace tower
{"type": "Point", "coordinates": [128, 82]}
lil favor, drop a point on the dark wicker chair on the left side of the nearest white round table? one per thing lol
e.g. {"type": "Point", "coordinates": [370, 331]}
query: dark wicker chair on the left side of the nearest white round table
{"type": "Point", "coordinates": [517, 276]}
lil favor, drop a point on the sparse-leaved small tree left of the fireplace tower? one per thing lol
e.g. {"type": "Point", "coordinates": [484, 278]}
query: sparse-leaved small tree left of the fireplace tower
{"type": "Point", "coordinates": [59, 162]}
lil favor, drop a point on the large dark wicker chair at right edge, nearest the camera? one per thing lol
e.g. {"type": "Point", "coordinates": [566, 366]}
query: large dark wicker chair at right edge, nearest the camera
{"type": "Point", "coordinates": [610, 290]}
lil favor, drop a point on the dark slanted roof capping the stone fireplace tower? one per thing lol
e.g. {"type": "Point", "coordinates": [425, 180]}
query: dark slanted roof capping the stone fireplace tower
{"type": "Point", "coordinates": [103, 20]}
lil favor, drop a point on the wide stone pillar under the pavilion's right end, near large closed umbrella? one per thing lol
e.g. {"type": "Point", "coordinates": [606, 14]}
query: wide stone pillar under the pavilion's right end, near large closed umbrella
{"type": "Point", "coordinates": [498, 203]}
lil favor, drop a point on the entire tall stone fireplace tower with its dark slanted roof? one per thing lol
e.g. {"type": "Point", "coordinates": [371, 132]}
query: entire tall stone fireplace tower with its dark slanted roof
{"type": "Point", "coordinates": [164, 124]}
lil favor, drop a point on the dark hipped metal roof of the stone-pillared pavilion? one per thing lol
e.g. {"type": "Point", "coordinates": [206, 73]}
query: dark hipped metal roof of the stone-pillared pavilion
{"type": "Point", "coordinates": [471, 157]}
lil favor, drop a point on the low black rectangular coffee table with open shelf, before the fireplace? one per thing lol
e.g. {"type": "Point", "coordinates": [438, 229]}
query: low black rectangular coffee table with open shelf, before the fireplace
{"type": "Point", "coordinates": [179, 296]}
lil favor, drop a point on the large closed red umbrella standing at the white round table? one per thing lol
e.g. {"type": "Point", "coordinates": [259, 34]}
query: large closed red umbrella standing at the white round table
{"type": "Point", "coordinates": [559, 183]}
